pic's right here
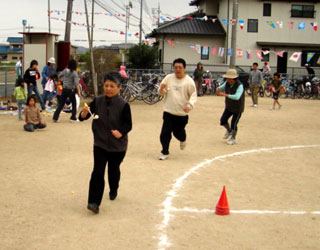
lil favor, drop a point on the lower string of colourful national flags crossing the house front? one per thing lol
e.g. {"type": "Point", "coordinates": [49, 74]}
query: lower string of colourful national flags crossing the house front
{"type": "Point", "coordinates": [241, 53]}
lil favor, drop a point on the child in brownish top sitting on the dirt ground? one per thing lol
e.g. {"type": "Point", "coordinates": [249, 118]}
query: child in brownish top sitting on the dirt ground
{"type": "Point", "coordinates": [33, 118]}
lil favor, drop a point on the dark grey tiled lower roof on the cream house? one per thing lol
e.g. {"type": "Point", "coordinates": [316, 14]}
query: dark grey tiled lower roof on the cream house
{"type": "Point", "coordinates": [186, 26]}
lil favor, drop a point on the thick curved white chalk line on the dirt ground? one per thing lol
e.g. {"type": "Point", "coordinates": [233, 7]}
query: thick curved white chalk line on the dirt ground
{"type": "Point", "coordinates": [167, 207]}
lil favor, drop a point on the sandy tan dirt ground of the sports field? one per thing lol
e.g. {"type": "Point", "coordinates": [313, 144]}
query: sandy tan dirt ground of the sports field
{"type": "Point", "coordinates": [44, 183]}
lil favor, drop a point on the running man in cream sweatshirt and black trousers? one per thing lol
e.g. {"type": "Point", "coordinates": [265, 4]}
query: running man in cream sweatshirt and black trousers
{"type": "Point", "coordinates": [180, 95]}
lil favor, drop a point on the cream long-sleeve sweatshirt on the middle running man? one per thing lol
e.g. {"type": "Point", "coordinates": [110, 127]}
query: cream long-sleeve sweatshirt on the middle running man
{"type": "Point", "coordinates": [178, 94]}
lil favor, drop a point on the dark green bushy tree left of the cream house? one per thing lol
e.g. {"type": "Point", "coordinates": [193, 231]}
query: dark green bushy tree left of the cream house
{"type": "Point", "coordinates": [143, 56]}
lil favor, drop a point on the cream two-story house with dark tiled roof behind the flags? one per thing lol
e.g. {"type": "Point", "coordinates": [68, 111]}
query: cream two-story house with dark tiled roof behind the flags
{"type": "Point", "coordinates": [269, 26]}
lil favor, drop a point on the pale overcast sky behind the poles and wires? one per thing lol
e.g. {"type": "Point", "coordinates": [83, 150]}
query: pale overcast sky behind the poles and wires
{"type": "Point", "coordinates": [36, 14]}
